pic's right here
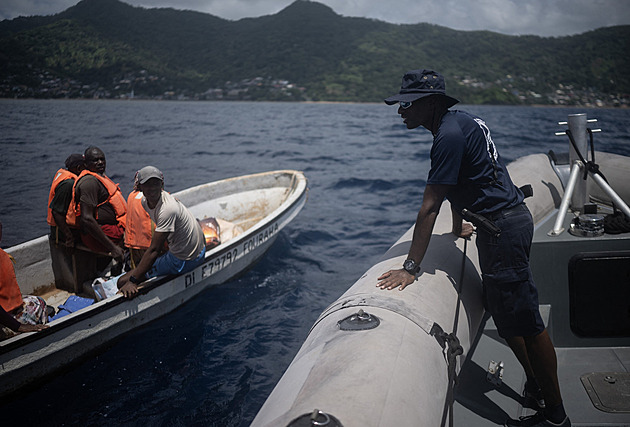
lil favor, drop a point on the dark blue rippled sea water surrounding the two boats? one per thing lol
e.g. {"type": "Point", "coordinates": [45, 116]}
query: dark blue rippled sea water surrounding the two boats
{"type": "Point", "coordinates": [214, 361]}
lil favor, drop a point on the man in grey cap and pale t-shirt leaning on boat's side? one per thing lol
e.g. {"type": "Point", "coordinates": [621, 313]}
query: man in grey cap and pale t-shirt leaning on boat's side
{"type": "Point", "coordinates": [174, 224]}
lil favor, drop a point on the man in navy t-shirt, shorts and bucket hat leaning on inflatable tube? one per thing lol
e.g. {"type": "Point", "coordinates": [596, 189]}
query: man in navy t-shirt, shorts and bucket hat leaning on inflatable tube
{"type": "Point", "coordinates": [467, 170]}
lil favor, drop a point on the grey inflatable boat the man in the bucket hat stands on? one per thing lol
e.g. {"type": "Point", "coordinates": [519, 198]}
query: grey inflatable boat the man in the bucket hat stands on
{"type": "Point", "coordinates": [389, 358]}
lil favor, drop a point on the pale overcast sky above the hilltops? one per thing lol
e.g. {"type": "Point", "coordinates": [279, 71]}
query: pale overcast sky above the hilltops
{"type": "Point", "coordinates": [515, 17]}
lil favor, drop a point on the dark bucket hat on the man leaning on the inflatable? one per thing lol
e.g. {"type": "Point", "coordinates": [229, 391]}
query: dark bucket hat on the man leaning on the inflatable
{"type": "Point", "coordinates": [418, 84]}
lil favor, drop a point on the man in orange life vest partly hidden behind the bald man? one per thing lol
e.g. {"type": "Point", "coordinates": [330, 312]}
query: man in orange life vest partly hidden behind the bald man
{"type": "Point", "coordinates": [60, 197]}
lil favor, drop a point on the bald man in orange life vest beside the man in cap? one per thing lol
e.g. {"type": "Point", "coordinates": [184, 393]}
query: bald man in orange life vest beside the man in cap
{"type": "Point", "coordinates": [98, 207]}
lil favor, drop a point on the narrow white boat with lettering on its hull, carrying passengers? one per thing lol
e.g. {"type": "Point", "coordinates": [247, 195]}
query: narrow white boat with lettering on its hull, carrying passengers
{"type": "Point", "coordinates": [261, 205]}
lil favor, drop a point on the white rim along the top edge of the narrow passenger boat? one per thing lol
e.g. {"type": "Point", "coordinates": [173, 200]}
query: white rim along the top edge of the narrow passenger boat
{"type": "Point", "coordinates": [65, 322]}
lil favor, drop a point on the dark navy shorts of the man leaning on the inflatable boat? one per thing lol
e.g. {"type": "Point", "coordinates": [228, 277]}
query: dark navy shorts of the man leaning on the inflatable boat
{"type": "Point", "coordinates": [509, 292]}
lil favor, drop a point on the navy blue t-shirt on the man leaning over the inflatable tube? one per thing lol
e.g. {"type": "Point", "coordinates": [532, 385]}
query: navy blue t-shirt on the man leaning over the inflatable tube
{"type": "Point", "coordinates": [464, 155]}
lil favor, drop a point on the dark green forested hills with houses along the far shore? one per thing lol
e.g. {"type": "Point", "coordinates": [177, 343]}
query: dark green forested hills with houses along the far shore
{"type": "Point", "coordinates": [106, 48]}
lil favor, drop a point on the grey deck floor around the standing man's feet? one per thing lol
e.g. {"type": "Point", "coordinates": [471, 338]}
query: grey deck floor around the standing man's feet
{"type": "Point", "coordinates": [480, 403]}
